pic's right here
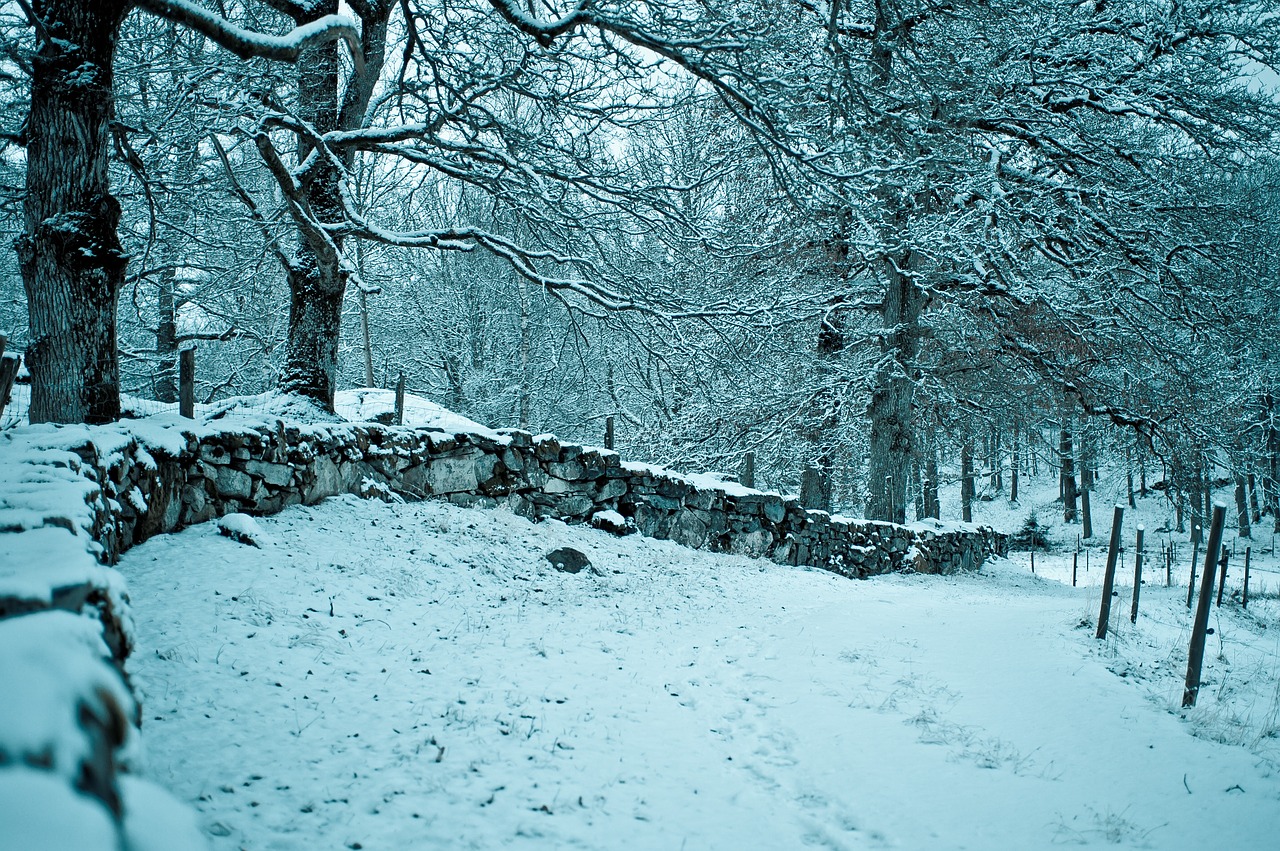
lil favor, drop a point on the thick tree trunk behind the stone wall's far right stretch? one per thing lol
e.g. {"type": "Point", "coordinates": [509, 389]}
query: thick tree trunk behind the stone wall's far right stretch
{"type": "Point", "coordinates": [893, 438]}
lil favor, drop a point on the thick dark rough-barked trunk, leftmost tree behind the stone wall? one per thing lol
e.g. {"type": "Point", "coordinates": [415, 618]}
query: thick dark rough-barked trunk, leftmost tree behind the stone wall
{"type": "Point", "coordinates": [71, 258]}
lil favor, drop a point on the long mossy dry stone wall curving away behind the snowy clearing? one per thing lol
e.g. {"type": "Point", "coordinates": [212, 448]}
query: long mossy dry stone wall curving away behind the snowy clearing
{"type": "Point", "coordinates": [264, 470]}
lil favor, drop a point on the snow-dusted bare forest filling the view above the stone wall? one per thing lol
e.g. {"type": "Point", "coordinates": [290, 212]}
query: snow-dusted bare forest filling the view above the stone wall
{"type": "Point", "coordinates": [863, 239]}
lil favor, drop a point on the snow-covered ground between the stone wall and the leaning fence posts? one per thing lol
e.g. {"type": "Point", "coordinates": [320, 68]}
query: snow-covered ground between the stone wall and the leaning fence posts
{"type": "Point", "coordinates": [464, 696]}
